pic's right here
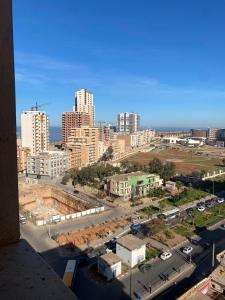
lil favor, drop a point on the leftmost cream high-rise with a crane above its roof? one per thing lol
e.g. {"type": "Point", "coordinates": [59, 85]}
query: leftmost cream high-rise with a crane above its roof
{"type": "Point", "coordinates": [35, 131]}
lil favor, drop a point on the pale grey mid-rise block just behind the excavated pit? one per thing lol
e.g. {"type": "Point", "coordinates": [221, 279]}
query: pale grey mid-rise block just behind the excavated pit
{"type": "Point", "coordinates": [49, 165]}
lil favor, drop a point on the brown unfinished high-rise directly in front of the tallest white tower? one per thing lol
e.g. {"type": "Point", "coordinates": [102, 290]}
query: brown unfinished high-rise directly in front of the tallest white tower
{"type": "Point", "coordinates": [73, 120]}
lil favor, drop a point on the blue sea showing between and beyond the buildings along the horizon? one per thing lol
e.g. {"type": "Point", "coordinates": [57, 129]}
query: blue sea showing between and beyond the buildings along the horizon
{"type": "Point", "coordinates": [56, 131]}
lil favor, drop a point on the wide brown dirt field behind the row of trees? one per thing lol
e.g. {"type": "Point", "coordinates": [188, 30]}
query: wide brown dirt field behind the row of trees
{"type": "Point", "coordinates": [186, 160]}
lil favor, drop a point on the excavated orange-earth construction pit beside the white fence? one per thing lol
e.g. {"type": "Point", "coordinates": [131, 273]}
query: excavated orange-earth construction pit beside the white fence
{"type": "Point", "coordinates": [44, 202]}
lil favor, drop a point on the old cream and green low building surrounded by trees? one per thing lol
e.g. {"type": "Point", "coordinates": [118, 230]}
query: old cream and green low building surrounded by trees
{"type": "Point", "coordinates": [136, 184]}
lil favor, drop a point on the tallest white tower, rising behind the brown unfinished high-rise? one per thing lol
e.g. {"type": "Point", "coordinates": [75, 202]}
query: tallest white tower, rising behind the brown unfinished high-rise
{"type": "Point", "coordinates": [84, 102]}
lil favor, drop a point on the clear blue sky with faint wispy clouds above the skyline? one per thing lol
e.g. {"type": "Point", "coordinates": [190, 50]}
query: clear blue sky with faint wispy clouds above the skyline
{"type": "Point", "coordinates": [163, 59]}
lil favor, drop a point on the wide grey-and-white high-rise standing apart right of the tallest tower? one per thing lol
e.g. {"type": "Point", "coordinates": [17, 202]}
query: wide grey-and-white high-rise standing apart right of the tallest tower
{"type": "Point", "coordinates": [128, 122]}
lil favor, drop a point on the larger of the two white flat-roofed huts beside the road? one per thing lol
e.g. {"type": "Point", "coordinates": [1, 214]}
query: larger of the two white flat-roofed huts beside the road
{"type": "Point", "coordinates": [131, 250]}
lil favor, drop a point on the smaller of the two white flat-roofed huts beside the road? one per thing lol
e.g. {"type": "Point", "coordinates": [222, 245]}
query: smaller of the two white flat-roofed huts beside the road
{"type": "Point", "coordinates": [109, 265]}
